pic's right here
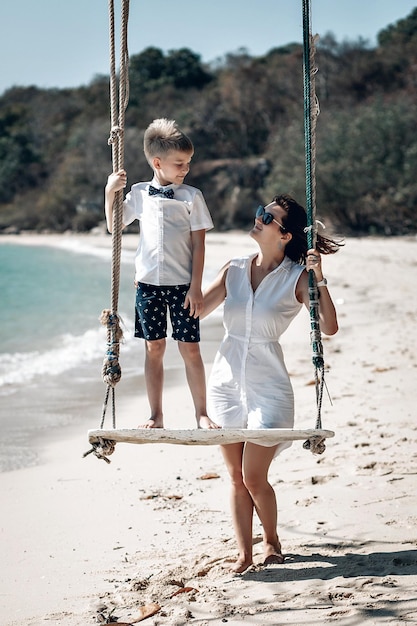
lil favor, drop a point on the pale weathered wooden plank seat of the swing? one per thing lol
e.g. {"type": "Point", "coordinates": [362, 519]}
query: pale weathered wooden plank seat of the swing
{"type": "Point", "coordinates": [203, 437]}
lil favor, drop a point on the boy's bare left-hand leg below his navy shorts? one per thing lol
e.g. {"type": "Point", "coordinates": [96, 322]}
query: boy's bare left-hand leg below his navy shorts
{"type": "Point", "coordinates": [154, 378]}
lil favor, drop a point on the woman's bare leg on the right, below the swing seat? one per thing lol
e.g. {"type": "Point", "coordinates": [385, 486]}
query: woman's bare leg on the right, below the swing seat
{"type": "Point", "coordinates": [256, 462]}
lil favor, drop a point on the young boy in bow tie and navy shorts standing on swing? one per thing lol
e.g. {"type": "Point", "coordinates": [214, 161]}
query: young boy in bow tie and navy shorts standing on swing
{"type": "Point", "coordinates": [169, 261]}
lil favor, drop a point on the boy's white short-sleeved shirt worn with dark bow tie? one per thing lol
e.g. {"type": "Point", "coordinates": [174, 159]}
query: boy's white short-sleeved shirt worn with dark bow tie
{"type": "Point", "coordinates": [164, 254]}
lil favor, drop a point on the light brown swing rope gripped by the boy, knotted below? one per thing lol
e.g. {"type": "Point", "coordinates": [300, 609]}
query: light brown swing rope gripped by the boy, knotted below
{"type": "Point", "coordinates": [119, 95]}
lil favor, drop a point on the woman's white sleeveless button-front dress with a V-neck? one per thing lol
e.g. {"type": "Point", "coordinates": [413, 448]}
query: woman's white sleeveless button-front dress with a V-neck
{"type": "Point", "coordinates": [249, 386]}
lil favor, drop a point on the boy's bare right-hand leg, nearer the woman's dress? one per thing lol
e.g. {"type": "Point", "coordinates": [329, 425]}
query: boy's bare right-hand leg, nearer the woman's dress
{"type": "Point", "coordinates": [196, 378]}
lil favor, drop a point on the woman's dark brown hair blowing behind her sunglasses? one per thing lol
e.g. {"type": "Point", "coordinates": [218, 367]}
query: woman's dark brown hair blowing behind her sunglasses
{"type": "Point", "coordinates": [295, 222]}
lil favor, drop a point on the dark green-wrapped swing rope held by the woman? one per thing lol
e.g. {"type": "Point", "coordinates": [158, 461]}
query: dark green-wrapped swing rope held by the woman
{"type": "Point", "coordinates": [311, 112]}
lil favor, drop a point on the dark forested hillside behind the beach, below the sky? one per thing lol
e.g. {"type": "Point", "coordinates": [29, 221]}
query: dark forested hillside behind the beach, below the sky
{"type": "Point", "coordinates": [245, 117]}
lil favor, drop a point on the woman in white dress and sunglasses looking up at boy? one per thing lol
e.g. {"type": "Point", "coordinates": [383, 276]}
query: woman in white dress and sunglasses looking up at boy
{"type": "Point", "coordinates": [249, 386]}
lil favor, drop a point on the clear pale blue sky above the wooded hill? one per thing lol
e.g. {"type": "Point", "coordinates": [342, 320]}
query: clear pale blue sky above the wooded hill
{"type": "Point", "coordinates": [65, 43]}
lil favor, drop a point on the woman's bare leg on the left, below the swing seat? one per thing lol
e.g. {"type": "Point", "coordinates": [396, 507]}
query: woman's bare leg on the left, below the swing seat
{"type": "Point", "coordinates": [241, 506]}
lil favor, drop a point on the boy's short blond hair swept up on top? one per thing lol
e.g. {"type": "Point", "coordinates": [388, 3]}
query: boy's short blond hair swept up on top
{"type": "Point", "coordinates": [162, 136]}
